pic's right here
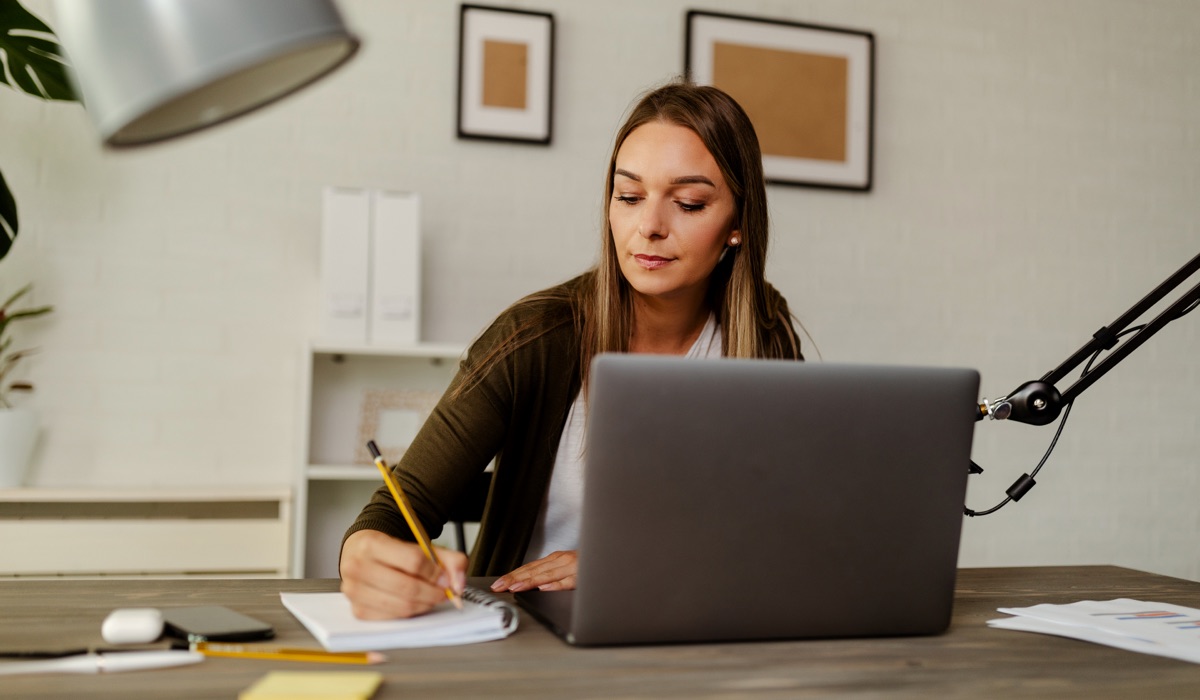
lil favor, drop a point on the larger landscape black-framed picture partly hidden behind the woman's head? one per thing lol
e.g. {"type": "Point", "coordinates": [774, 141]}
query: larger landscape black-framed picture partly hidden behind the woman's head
{"type": "Point", "coordinates": [808, 89]}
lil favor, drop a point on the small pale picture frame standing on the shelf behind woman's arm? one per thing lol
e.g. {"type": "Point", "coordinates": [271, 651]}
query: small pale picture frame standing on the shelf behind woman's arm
{"type": "Point", "coordinates": [392, 418]}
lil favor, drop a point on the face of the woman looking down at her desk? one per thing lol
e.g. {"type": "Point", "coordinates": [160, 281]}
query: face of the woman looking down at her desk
{"type": "Point", "coordinates": [671, 212]}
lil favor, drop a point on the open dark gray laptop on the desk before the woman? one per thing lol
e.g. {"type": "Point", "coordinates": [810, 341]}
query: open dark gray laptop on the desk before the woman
{"type": "Point", "coordinates": [754, 500]}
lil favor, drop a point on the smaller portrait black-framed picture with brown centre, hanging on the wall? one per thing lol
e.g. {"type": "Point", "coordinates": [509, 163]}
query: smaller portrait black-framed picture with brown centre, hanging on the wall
{"type": "Point", "coordinates": [506, 75]}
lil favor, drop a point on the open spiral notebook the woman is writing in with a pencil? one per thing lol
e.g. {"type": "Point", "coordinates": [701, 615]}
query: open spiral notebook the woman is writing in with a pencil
{"type": "Point", "coordinates": [328, 618]}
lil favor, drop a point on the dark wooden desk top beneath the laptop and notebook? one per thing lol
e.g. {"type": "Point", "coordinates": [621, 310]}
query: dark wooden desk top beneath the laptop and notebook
{"type": "Point", "coordinates": [969, 661]}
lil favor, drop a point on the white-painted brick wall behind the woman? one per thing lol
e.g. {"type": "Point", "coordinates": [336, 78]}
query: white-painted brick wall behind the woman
{"type": "Point", "coordinates": [1037, 172]}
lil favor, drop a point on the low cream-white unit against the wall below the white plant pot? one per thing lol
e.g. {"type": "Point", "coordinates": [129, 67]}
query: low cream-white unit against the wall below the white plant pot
{"type": "Point", "coordinates": [146, 533]}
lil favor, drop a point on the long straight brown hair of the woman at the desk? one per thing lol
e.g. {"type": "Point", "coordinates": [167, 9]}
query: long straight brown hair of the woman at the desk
{"type": "Point", "coordinates": [754, 319]}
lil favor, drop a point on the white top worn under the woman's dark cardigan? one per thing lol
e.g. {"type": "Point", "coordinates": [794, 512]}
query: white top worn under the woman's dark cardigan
{"type": "Point", "coordinates": [559, 524]}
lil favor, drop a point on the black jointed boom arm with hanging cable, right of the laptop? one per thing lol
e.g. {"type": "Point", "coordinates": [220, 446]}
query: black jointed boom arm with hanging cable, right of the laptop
{"type": "Point", "coordinates": [1041, 403]}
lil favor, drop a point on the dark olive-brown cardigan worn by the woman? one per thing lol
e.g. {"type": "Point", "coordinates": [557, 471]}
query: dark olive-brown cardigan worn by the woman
{"type": "Point", "coordinates": [515, 415]}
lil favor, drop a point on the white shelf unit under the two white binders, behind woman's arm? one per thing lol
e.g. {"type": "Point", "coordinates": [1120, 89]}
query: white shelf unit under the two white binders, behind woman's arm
{"type": "Point", "coordinates": [331, 488]}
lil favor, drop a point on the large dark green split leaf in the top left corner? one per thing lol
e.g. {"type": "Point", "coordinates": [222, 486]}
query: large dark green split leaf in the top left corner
{"type": "Point", "coordinates": [31, 57]}
